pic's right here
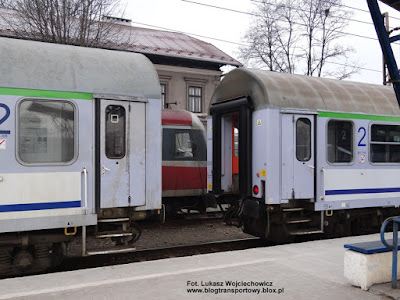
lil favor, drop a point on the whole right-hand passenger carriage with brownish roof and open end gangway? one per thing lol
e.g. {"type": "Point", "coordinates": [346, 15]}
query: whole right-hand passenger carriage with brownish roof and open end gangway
{"type": "Point", "coordinates": [304, 155]}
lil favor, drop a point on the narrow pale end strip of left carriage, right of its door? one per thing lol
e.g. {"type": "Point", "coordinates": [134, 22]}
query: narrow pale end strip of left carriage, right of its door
{"type": "Point", "coordinates": [153, 156]}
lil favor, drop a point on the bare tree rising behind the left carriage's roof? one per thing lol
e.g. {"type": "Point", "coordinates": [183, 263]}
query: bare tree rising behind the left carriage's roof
{"type": "Point", "coordinates": [77, 22]}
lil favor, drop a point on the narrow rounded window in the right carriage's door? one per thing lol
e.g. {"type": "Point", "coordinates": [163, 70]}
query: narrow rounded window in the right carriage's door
{"type": "Point", "coordinates": [303, 139]}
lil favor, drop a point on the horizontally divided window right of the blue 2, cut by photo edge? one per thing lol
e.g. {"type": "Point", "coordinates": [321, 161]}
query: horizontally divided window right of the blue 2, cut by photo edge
{"type": "Point", "coordinates": [385, 144]}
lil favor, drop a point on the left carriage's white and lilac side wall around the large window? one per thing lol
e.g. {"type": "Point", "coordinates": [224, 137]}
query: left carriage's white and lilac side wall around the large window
{"type": "Point", "coordinates": [41, 183]}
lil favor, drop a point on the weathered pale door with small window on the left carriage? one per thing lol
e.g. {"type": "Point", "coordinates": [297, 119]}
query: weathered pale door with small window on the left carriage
{"type": "Point", "coordinates": [122, 153]}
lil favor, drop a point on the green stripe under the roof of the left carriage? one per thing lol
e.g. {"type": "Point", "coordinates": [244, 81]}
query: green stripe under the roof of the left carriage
{"type": "Point", "coordinates": [45, 94]}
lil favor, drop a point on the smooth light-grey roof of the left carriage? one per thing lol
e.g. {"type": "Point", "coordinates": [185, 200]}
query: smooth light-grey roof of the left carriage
{"type": "Point", "coordinates": [44, 66]}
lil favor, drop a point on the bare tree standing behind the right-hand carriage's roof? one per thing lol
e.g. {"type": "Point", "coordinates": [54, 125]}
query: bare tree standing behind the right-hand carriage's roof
{"type": "Point", "coordinates": [299, 36]}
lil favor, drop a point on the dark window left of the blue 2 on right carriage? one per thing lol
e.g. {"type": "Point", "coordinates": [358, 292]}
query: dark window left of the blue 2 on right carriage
{"type": "Point", "coordinates": [340, 141]}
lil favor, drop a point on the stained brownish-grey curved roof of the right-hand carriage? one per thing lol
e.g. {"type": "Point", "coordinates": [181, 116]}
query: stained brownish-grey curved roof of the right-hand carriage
{"type": "Point", "coordinates": [271, 89]}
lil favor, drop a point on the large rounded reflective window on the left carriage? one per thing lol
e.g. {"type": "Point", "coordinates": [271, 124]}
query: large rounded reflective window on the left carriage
{"type": "Point", "coordinates": [46, 131]}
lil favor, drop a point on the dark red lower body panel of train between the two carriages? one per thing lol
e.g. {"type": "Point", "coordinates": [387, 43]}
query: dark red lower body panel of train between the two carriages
{"type": "Point", "coordinates": [184, 178]}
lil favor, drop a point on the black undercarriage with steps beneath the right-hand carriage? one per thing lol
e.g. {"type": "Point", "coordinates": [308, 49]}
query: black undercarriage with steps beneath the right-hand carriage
{"type": "Point", "coordinates": [283, 223]}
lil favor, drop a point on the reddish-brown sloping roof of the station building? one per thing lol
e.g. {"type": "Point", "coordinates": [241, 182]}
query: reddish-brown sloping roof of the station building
{"type": "Point", "coordinates": [153, 42]}
